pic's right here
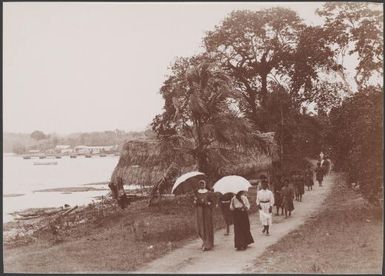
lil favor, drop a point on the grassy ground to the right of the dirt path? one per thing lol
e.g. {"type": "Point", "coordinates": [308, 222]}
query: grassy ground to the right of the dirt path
{"type": "Point", "coordinates": [345, 237]}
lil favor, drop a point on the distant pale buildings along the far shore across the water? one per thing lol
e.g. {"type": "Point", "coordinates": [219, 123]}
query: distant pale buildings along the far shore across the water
{"type": "Point", "coordinates": [73, 152]}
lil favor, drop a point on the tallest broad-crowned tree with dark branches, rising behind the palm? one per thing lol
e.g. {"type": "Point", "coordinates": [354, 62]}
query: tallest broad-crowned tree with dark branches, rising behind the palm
{"type": "Point", "coordinates": [265, 48]}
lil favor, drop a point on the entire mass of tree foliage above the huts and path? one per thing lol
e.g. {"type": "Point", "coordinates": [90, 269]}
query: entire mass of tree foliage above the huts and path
{"type": "Point", "coordinates": [264, 70]}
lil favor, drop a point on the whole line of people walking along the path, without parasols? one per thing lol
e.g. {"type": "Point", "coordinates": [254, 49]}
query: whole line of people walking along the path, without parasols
{"type": "Point", "coordinates": [235, 207]}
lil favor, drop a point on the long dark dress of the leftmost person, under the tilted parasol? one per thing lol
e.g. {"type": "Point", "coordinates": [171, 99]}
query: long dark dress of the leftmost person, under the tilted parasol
{"type": "Point", "coordinates": [204, 211]}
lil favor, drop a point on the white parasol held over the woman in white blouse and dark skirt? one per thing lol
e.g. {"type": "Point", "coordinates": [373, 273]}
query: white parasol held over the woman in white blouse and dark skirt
{"type": "Point", "coordinates": [231, 184]}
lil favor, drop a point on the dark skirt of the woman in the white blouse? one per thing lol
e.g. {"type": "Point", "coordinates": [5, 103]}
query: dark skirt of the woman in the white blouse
{"type": "Point", "coordinates": [242, 235]}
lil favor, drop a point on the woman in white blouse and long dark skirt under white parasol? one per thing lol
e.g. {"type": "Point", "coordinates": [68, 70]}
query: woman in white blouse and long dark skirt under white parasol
{"type": "Point", "coordinates": [242, 236]}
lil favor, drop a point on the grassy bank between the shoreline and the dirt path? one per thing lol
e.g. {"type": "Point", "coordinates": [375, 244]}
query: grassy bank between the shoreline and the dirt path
{"type": "Point", "coordinates": [104, 238]}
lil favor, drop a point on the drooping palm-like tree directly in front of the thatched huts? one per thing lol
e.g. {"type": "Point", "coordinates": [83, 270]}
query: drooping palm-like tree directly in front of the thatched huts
{"type": "Point", "coordinates": [199, 116]}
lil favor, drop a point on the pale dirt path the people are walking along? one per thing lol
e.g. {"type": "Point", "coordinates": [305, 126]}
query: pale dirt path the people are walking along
{"type": "Point", "coordinates": [223, 258]}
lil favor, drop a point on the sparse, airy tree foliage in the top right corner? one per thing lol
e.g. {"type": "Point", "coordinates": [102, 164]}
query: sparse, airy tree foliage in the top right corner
{"type": "Point", "coordinates": [356, 29]}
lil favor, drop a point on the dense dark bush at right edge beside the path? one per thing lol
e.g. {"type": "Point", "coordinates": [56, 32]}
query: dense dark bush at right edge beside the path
{"type": "Point", "coordinates": [356, 136]}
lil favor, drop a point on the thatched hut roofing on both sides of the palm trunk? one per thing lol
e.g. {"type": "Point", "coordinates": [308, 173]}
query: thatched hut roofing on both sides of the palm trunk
{"type": "Point", "coordinates": [144, 162]}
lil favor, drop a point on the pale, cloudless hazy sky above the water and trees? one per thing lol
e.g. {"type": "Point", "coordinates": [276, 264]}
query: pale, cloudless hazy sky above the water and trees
{"type": "Point", "coordinates": [71, 67]}
